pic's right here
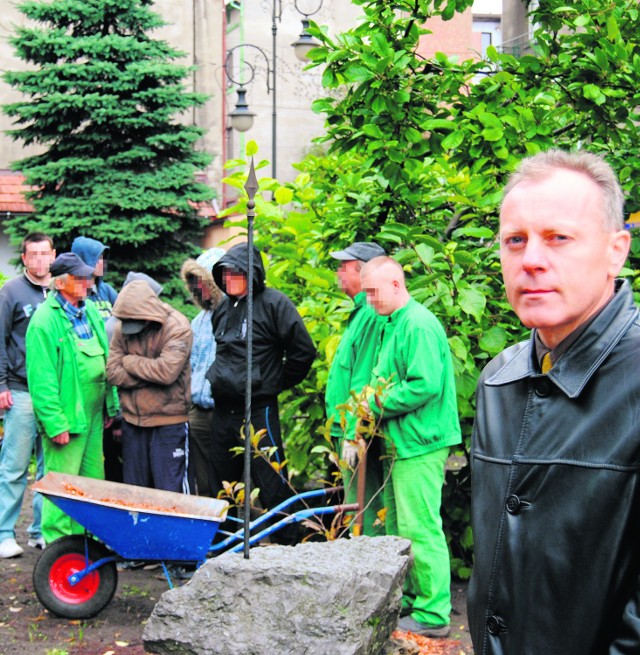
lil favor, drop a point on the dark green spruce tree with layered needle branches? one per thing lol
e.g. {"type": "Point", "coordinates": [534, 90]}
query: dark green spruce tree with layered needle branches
{"type": "Point", "coordinates": [103, 98]}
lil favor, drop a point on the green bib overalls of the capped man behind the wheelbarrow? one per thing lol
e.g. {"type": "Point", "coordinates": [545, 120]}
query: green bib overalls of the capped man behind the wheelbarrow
{"type": "Point", "coordinates": [83, 454]}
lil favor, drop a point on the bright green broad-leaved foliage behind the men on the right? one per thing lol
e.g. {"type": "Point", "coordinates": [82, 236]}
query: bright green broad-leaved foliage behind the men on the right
{"type": "Point", "coordinates": [418, 151]}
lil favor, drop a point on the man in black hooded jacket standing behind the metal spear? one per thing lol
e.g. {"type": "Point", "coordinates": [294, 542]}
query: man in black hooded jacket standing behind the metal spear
{"type": "Point", "coordinates": [282, 356]}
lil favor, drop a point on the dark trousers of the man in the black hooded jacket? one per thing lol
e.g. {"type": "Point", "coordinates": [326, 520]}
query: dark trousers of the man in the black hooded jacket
{"type": "Point", "coordinates": [229, 433]}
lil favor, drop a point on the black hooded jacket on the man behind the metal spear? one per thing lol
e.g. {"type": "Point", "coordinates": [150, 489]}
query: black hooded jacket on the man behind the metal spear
{"type": "Point", "coordinates": [282, 348]}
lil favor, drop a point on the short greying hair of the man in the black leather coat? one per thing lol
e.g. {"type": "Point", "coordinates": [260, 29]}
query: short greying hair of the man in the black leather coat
{"type": "Point", "coordinates": [592, 166]}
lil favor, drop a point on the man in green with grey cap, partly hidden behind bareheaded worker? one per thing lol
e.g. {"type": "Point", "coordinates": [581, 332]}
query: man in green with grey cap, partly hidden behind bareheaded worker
{"type": "Point", "coordinates": [351, 371]}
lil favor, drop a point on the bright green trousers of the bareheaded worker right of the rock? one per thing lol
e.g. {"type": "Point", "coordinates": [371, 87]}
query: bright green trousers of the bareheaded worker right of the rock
{"type": "Point", "coordinates": [413, 497]}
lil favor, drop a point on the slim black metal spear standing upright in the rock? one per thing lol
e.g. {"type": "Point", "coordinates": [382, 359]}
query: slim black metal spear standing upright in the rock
{"type": "Point", "coordinates": [251, 187]}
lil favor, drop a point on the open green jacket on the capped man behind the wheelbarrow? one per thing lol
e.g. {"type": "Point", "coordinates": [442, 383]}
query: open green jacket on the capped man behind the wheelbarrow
{"type": "Point", "coordinates": [53, 373]}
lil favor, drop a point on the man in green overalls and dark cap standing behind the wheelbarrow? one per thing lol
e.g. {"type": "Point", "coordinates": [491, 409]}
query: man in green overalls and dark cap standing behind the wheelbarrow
{"type": "Point", "coordinates": [67, 349]}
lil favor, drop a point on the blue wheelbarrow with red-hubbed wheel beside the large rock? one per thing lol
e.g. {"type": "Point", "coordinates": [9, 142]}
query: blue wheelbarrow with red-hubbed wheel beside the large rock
{"type": "Point", "coordinates": [76, 576]}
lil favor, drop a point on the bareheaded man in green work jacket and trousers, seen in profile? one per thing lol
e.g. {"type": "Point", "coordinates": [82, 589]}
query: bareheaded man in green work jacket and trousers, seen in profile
{"type": "Point", "coordinates": [419, 418]}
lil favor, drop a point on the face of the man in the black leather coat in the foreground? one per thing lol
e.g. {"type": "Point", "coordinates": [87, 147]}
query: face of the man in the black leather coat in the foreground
{"type": "Point", "coordinates": [558, 260]}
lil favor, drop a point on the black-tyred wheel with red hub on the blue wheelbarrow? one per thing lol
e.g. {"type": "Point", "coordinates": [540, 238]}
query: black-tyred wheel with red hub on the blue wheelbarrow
{"type": "Point", "coordinates": [63, 558]}
